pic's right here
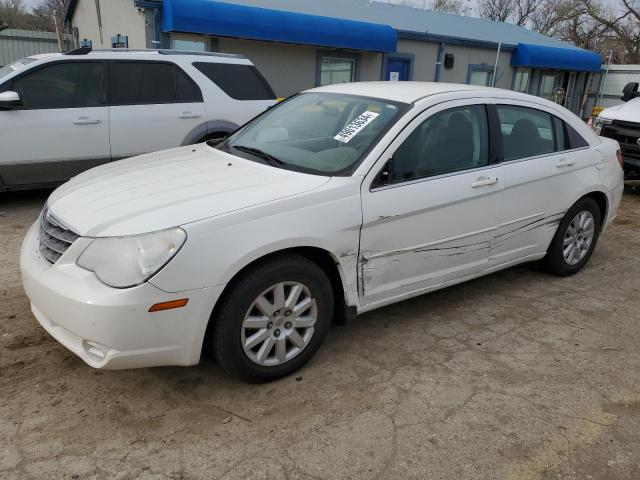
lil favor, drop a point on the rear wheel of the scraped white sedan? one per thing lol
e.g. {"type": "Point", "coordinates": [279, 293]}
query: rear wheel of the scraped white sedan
{"type": "Point", "coordinates": [555, 261]}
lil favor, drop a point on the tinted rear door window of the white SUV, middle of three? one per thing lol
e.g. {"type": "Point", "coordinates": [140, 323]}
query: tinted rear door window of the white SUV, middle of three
{"type": "Point", "coordinates": [145, 83]}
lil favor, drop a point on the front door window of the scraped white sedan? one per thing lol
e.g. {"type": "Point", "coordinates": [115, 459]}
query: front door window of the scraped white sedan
{"type": "Point", "coordinates": [448, 141]}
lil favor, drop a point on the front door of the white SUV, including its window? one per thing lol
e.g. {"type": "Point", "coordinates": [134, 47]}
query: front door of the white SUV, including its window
{"type": "Point", "coordinates": [61, 129]}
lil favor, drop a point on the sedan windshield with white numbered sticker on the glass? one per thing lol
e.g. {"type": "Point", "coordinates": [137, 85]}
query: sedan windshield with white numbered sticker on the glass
{"type": "Point", "coordinates": [319, 133]}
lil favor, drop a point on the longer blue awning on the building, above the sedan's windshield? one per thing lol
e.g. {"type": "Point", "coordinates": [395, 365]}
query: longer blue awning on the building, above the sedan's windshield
{"type": "Point", "coordinates": [210, 17]}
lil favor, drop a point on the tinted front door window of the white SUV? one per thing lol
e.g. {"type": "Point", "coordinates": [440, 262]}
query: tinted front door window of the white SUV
{"type": "Point", "coordinates": [62, 85]}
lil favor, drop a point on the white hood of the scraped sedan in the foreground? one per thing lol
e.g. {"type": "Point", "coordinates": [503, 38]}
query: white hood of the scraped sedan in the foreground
{"type": "Point", "coordinates": [170, 188]}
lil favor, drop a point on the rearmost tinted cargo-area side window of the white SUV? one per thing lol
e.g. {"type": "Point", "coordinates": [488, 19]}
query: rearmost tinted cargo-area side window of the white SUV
{"type": "Point", "coordinates": [242, 82]}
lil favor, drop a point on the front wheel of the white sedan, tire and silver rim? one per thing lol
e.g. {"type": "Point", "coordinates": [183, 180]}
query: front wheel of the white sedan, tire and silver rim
{"type": "Point", "coordinates": [254, 295]}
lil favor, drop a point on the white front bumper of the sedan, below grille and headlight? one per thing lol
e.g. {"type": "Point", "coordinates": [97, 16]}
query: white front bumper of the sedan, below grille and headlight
{"type": "Point", "coordinates": [107, 327]}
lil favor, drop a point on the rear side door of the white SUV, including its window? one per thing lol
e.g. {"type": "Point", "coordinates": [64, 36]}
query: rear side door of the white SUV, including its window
{"type": "Point", "coordinates": [154, 106]}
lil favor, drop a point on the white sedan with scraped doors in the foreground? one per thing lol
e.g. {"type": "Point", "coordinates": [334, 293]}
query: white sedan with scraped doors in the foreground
{"type": "Point", "coordinates": [338, 201]}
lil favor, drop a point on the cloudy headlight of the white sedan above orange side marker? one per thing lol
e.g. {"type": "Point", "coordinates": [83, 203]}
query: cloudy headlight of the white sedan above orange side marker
{"type": "Point", "coordinates": [124, 262]}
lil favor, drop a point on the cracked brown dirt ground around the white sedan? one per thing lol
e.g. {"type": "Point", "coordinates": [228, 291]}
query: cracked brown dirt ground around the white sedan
{"type": "Point", "coordinates": [518, 375]}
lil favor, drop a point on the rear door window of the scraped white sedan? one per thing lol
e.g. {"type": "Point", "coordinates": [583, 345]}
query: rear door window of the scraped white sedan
{"type": "Point", "coordinates": [526, 132]}
